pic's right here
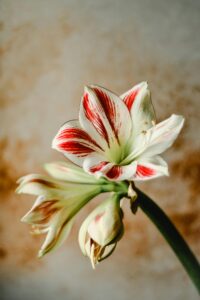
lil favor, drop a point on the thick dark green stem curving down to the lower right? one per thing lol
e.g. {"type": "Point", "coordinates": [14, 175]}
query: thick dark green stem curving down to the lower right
{"type": "Point", "coordinates": [172, 236]}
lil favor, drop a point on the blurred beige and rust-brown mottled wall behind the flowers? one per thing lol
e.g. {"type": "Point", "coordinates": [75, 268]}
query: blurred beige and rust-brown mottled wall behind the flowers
{"type": "Point", "coordinates": [49, 51]}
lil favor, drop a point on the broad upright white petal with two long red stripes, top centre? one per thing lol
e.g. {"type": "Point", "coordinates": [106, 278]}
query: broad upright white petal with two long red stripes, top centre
{"type": "Point", "coordinates": [105, 117]}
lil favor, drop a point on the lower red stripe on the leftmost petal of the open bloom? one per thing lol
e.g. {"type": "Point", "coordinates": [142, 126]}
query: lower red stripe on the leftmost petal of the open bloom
{"type": "Point", "coordinates": [76, 148]}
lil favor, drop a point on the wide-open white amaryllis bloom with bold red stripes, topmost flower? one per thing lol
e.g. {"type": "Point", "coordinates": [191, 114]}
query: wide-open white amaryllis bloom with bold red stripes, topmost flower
{"type": "Point", "coordinates": [117, 136]}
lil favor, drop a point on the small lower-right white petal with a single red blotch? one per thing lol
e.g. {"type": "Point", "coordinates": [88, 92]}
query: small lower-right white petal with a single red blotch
{"type": "Point", "coordinates": [149, 168]}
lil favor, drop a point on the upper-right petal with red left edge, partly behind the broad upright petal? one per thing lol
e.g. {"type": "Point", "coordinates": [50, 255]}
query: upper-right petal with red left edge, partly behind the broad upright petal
{"type": "Point", "coordinates": [138, 101]}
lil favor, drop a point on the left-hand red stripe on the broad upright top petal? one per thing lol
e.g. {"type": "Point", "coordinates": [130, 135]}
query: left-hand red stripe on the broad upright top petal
{"type": "Point", "coordinates": [94, 117]}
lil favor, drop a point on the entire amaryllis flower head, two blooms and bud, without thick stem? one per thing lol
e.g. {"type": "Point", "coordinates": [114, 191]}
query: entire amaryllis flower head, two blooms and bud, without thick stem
{"type": "Point", "coordinates": [116, 139]}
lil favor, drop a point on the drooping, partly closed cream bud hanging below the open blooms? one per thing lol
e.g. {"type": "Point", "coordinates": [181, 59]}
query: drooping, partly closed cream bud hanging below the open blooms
{"type": "Point", "coordinates": [101, 230]}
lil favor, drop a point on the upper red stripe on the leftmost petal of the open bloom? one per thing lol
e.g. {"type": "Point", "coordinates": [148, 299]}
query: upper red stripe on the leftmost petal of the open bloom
{"type": "Point", "coordinates": [76, 133]}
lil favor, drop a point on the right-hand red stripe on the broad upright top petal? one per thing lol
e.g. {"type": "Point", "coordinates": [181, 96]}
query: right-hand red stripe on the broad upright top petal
{"type": "Point", "coordinates": [109, 109]}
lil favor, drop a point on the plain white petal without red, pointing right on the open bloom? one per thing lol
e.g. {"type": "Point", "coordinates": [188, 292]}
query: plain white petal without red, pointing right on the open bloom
{"type": "Point", "coordinates": [161, 136]}
